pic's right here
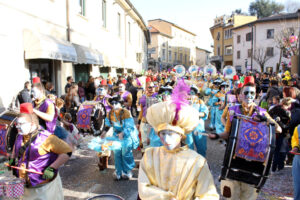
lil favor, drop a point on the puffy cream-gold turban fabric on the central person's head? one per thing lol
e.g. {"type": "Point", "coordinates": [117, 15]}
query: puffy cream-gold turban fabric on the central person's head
{"type": "Point", "coordinates": [164, 113]}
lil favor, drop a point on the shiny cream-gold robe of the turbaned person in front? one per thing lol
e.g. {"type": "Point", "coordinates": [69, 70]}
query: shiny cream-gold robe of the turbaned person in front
{"type": "Point", "coordinates": [181, 174]}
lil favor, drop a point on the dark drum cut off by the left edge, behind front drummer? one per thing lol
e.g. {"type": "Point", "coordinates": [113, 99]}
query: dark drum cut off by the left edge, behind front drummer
{"type": "Point", "coordinates": [8, 131]}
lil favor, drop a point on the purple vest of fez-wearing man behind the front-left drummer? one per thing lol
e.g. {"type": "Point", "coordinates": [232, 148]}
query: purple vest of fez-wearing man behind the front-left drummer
{"type": "Point", "coordinates": [49, 126]}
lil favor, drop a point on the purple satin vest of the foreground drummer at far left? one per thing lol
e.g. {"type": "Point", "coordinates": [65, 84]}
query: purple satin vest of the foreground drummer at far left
{"type": "Point", "coordinates": [37, 162]}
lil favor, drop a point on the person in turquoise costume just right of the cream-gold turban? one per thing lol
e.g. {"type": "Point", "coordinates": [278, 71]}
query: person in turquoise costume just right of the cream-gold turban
{"type": "Point", "coordinates": [195, 137]}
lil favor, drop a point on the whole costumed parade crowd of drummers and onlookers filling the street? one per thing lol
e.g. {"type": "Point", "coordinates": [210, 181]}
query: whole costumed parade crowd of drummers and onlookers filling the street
{"type": "Point", "coordinates": [163, 115]}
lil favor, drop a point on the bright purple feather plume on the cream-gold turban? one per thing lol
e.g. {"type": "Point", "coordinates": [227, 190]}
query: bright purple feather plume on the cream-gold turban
{"type": "Point", "coordinates": [179, 97]}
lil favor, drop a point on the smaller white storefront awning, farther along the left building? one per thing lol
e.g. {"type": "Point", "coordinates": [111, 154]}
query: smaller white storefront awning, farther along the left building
{"type": "Point", "coordinates": [86, 55]}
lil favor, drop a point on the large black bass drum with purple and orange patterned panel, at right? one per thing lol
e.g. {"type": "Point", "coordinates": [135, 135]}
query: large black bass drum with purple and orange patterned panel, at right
{"type": "Point", "coordinates": [249, 152]}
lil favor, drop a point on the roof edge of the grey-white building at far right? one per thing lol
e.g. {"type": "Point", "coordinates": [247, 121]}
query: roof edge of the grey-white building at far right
{"type": "Point", "coordinates": [278, 17]}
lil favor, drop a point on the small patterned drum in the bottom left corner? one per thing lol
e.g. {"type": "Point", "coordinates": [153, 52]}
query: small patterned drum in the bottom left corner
{"type": "Point", "coordinates": [12, 188]}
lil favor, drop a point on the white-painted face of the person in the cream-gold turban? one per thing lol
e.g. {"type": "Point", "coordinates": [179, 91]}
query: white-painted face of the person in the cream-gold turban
{"type": "Point", "coordinates": [170, 139]}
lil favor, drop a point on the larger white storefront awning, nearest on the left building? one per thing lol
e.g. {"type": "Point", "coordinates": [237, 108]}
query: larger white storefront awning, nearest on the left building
{"type": "Point", "coordinates": [38, 46]}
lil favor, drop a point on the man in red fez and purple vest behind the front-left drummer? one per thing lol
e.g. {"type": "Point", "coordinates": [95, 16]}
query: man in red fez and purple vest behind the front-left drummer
{"type": "Point", "coordinates": [44, 108]}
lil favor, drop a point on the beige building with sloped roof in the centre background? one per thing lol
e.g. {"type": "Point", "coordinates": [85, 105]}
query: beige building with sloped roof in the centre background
{"type": "Point", "coordinates": [170, 45]}
